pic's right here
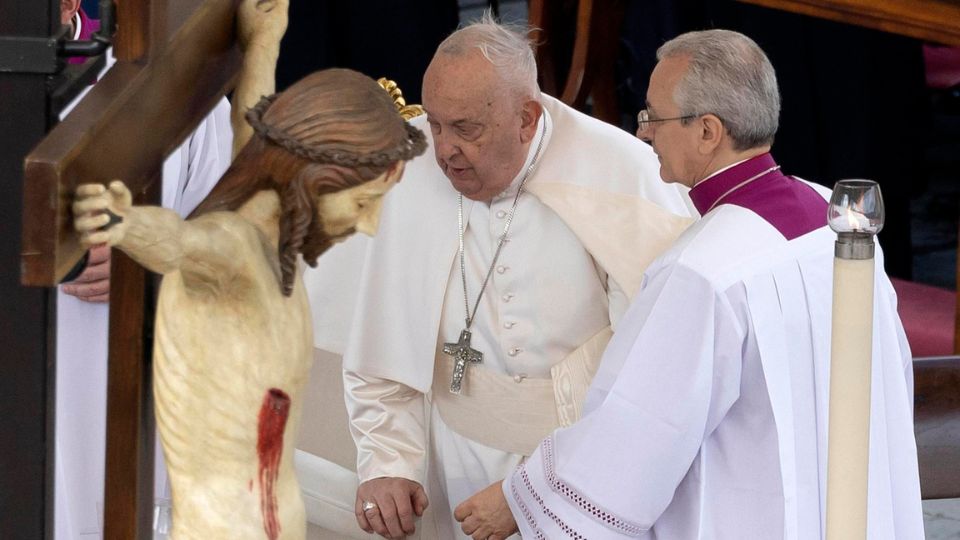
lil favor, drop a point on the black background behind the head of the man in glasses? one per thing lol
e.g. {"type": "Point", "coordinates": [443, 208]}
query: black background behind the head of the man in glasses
{"type": "Point", "coordinates": [855, 105]}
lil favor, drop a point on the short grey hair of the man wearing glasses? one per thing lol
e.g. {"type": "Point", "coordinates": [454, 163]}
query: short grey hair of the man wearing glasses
{"type": "Point", "coordinates": [731, 77]}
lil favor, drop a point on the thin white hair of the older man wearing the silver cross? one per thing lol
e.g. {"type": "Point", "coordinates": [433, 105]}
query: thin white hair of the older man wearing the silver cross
{"type": "Point", "coordinates": [506, 46]}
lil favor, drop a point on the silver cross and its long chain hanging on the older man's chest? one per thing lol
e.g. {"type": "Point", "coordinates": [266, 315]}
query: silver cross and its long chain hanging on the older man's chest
{"type": "Point", "coordinates": [461, 352]}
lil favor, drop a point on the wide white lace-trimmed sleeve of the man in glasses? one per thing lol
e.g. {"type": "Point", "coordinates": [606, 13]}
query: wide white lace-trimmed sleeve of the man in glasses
{"type": "Point", "coordinates": [677, 357]}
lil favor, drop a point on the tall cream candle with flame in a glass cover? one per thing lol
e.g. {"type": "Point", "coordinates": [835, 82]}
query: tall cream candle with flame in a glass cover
{"type": "Point", "coordinates": [856, 214]}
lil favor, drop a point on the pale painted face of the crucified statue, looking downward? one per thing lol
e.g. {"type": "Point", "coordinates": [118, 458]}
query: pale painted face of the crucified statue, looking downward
{"type": "Point", "coordinates": [356, 209]}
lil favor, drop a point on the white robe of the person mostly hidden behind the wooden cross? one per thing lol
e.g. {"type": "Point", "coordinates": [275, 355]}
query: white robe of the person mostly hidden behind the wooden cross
{"type": "Point", "coordinates": [189, 173]}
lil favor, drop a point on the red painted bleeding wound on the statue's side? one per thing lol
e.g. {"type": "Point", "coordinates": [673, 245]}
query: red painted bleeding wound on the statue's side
{"type": "Point", "coordinates": [273, 420]}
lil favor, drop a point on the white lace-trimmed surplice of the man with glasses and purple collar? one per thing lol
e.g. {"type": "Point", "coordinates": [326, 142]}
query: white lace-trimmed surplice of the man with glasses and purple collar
{"type": "Point", "coordinates": [708, 416]}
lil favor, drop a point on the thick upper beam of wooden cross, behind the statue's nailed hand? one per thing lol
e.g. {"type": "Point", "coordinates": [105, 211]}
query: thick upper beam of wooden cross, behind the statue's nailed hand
{"type": "Point", "coordinates": [129, 122]}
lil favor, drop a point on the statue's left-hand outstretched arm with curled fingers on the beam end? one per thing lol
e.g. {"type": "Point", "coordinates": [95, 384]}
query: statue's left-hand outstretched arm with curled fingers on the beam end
{"type": "Point", "coordinates": [157, 238]}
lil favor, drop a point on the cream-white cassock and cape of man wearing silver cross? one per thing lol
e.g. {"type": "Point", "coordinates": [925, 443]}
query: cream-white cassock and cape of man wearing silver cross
{"type": "Point", "coordinates": [563, 276]}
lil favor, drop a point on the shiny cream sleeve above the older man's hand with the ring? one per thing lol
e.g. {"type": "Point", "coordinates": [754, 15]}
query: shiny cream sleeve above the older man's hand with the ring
{"type": "Point", "coordinates": [387, 422]}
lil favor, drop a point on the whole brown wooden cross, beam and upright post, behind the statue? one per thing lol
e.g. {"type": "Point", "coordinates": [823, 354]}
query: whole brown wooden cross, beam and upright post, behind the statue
{"type": "Point", "coordinates": [176, 59]}
